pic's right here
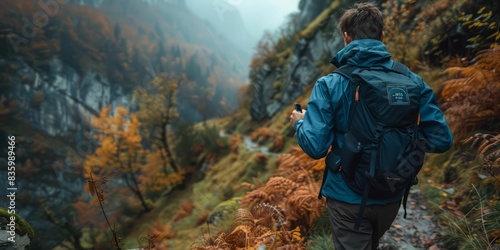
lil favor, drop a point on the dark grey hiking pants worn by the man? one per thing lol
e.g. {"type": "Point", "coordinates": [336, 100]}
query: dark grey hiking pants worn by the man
{"type": "Point", "coordinates": [376, 220]}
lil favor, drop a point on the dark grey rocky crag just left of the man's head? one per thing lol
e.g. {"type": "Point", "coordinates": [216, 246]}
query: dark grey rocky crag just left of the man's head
{"type": "Point", "coordinates": [302, 69]}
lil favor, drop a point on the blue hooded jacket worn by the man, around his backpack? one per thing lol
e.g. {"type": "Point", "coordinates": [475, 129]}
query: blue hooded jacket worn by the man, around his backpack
{"type": "Point", "coordinates": [327, 115]}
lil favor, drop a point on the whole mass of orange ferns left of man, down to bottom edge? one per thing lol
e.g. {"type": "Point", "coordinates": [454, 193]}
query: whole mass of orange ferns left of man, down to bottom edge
{"type": "Point", "coordinates": [279, 212]}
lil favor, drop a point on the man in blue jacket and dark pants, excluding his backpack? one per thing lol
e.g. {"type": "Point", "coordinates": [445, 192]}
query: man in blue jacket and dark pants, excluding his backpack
{"type": "Point", "coordinates": [327, 120]}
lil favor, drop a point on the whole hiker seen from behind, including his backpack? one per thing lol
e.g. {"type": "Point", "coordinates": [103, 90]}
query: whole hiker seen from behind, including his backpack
{"type": "Point", "coordinates": [359, 217]}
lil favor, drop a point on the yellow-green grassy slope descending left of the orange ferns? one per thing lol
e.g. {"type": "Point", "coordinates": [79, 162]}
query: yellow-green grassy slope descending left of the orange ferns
{"type": "Point", "coordinates": [221, 182]}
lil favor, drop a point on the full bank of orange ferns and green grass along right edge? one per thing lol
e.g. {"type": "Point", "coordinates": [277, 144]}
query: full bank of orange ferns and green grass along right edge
{"type": "Point", "coordinates": [470, 101]}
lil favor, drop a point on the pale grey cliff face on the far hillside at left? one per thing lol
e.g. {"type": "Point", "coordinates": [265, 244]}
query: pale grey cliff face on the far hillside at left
{"type": "Point", "coordinates": [68, 97]}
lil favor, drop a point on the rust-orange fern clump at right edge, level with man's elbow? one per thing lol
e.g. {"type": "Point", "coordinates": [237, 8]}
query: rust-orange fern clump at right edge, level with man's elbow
{"type": "Point", "coordinates": [470, 97]}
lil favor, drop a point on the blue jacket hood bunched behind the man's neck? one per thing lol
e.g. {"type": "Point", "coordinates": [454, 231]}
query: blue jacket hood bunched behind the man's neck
{"type": "Point", "coordinates": [362, 53]}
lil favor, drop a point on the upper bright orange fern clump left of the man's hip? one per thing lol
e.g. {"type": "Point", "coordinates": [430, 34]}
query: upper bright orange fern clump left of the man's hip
{"type": "Point", "coordinates": [294, 187]}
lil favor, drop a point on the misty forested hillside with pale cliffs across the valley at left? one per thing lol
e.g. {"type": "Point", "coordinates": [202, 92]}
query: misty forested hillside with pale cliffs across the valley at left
{"type": "Point", "coordinates": [61, 63]}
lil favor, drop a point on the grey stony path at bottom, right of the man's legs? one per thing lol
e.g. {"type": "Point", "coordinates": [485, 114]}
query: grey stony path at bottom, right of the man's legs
{"type": "Point", "coordinates": [417, 231]}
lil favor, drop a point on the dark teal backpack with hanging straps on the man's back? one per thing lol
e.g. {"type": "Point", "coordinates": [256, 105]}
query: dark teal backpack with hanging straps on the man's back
{"type": "Point", "coordinates": [381, 153]}
